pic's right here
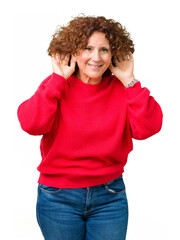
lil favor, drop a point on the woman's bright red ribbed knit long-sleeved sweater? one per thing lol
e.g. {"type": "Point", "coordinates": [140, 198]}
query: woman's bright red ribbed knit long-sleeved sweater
{"type": "Point", "coordinates": [87, 128]}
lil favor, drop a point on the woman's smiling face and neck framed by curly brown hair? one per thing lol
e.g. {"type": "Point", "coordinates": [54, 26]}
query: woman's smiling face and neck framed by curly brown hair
{"type": "Point", "coordinates": [94, 60]}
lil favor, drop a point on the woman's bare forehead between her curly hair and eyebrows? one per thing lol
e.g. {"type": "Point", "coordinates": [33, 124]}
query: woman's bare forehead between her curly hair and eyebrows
{"type": "Point", "coordinates": [98, 39]}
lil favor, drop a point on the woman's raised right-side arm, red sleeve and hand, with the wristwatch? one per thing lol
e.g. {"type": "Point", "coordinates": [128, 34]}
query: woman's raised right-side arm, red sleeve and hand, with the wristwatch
{"type": "Point", "coordinates": [145, 114]}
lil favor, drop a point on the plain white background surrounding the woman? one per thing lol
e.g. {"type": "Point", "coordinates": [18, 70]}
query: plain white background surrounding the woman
{"type": "Point", "coordinates": [152, 173]}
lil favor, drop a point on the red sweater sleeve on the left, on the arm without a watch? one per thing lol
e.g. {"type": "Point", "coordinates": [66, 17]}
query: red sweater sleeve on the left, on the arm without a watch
{"type": "Point", "coordinates": [37, 114]}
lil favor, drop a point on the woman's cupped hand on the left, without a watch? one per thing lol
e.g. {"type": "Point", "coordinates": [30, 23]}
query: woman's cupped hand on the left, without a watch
{"type": "Point", "coordinates": [60, 65]}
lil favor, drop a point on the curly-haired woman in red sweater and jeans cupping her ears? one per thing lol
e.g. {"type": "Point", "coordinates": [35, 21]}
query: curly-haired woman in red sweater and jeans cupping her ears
{"type": "Point", "coordinates": [88, 110]}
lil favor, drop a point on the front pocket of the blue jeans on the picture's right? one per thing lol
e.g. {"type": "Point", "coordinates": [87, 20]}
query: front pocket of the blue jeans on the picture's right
{"type": "Point", "coordinates": [115, 187]}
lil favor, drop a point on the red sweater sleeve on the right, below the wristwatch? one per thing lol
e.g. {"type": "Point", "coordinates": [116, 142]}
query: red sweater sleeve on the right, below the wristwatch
{"type": "Point", "coordinates": [145, 114]}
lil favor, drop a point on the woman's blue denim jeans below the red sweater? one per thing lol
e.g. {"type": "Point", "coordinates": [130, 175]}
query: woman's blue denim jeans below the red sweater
{"type": "Point", "coordinates": [94, 213]}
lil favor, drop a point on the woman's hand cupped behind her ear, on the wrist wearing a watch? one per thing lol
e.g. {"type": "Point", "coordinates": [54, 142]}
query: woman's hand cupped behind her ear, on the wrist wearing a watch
{"type": "Point", "coordinates": [124, 69]}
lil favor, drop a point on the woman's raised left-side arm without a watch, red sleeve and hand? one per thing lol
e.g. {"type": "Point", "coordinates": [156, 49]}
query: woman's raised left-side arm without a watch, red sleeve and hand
{"type": "Point", "coordinates": [37, 114]}
